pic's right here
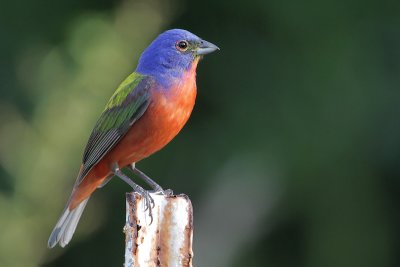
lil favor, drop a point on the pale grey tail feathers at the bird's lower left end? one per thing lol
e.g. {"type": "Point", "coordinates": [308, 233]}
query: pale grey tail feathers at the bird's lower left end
{"type": "Point", "coordinates": [66, 225]}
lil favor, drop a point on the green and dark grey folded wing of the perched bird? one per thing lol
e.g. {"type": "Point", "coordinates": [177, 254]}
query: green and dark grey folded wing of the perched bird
{"type": "Point", "coordinates": [125, 106]}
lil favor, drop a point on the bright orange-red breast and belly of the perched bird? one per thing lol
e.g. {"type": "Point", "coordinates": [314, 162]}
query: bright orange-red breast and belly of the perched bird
{"type": "Point", "coordinates": [162, 121]}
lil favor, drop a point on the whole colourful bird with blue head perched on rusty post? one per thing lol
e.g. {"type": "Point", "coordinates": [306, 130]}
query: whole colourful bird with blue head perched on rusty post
{"type": "Point", "coordinates": [147, 110]}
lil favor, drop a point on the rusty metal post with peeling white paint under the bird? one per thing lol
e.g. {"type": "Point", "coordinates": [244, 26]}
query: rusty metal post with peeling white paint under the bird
{"type": "Point", "coordinates": [167, 241]}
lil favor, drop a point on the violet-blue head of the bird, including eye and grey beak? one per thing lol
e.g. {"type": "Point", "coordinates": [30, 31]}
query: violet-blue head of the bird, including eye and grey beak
{"type": "Point", "coordinates": [172, 53]}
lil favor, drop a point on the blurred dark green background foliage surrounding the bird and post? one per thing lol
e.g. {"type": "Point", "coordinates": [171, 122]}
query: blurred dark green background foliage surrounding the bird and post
{"type": "Point", "coordinates": [292, 154]}
